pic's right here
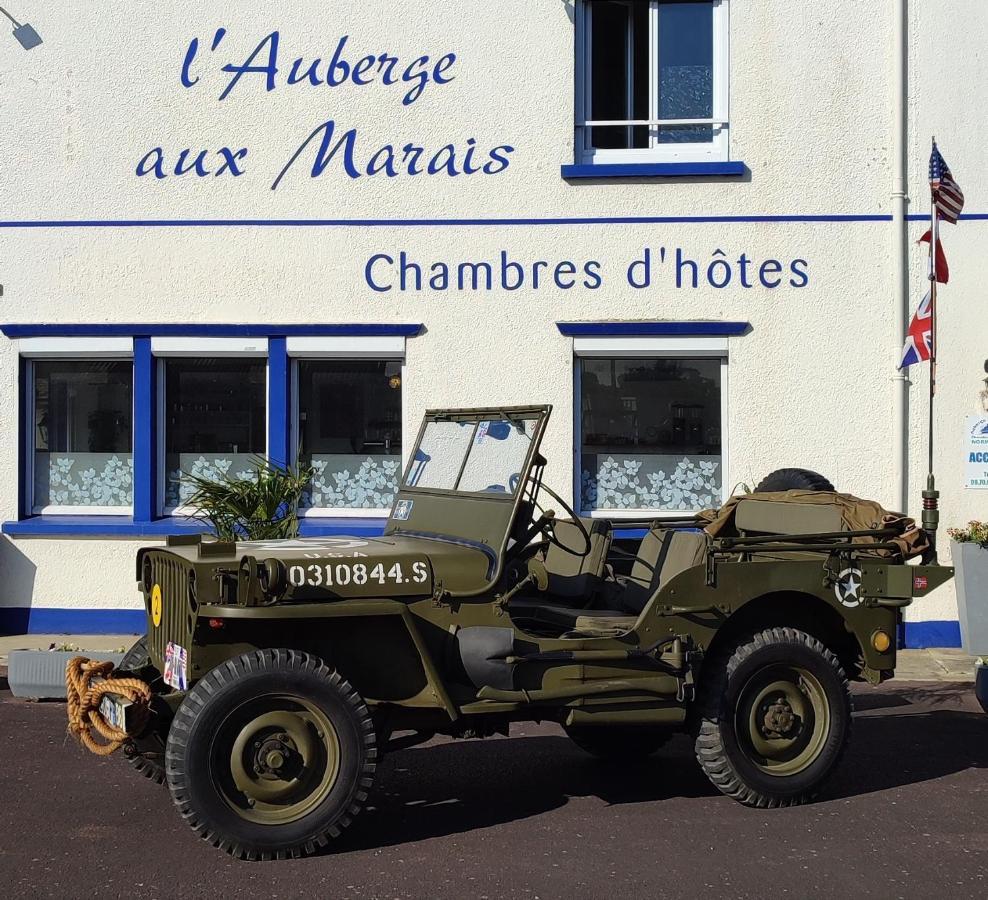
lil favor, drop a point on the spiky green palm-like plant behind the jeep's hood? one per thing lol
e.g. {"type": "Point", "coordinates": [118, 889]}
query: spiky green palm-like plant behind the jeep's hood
{"type": "Point", "coordinates": [262, 506]}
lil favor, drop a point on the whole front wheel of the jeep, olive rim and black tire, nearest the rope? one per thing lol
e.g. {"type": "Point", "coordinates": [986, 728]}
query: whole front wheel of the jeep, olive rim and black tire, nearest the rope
{"type": "Point", "coordinates": [270, 755]}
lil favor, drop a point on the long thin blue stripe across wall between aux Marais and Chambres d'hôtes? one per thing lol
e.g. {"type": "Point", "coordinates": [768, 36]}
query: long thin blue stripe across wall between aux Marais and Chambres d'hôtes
{"type": "Point", "coordinates": [464, 222]}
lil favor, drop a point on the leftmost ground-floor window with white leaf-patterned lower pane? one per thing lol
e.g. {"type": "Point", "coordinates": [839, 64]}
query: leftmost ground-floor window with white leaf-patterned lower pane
{"type": "Point", "coordinates": [82, 441]}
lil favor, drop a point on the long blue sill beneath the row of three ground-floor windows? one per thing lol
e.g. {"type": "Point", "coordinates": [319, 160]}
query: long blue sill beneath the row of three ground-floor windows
{"type": "Point", "coordinates": [125, 526]}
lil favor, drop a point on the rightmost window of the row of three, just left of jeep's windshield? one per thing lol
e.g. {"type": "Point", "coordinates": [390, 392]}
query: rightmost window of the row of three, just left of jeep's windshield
{"type": "Point", "coordinates": [349, 431]}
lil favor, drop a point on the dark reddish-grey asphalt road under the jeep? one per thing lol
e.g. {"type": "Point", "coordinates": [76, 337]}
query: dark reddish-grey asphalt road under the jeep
{"type": "Point", "coordinates": [531, 816]}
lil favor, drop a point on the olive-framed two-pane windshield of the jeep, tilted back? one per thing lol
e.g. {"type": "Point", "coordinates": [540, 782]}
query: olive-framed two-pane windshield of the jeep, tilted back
{"type": "Point", "coordinates": [493, 448]}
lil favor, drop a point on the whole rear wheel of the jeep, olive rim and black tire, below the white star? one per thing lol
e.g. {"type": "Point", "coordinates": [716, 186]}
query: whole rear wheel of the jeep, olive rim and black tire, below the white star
{"type": "Point", "coordinates": [775, 718]}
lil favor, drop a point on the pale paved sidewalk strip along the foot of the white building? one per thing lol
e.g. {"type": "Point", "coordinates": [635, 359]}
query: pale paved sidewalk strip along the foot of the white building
{"type": "Point", "coordinates": [913, 665]}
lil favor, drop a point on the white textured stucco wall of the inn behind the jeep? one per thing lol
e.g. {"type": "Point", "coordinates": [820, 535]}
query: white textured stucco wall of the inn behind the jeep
{"type": "Point", "coordinates": [810, 108]}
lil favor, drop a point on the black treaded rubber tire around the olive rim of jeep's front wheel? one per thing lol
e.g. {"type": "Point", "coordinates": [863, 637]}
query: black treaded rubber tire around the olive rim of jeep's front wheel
{"type": "Point", "coordinates": [253, 663]}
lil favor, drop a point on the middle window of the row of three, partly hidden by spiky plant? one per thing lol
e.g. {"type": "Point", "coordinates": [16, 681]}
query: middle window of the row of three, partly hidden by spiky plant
{"type": "Point", "coordinates": [215, 420]}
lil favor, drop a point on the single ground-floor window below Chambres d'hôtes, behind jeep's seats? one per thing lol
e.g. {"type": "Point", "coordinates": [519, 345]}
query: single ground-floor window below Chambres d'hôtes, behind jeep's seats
{"type": "Point", "coordinates": [651, 433]}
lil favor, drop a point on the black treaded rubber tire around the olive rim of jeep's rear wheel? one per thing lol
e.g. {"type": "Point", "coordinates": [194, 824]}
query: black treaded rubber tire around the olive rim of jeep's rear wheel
{"type": "Point", "coordinates": [709, 745]}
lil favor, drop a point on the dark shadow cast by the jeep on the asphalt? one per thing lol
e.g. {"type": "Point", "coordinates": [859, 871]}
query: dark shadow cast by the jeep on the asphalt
{"type": "Point", "coordinates": [456, 787]}
